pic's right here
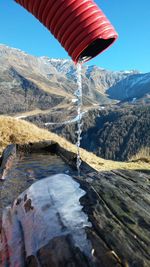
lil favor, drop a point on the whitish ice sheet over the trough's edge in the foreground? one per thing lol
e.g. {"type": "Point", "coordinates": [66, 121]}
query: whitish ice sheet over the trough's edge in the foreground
{"type": "Point", "coordinates": [48, 209]}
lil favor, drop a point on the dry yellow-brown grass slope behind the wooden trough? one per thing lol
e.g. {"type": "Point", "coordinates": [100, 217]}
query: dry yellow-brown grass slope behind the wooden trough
{"type": "Point", "coordinates": [22, 132]}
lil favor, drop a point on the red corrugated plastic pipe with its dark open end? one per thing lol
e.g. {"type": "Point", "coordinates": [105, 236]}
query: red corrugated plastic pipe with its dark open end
{"type": "Point", "coordinates": [79, 25]}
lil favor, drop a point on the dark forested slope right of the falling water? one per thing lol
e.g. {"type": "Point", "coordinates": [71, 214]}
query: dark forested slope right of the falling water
{"type": "Point", "coordinates": [119, 134]}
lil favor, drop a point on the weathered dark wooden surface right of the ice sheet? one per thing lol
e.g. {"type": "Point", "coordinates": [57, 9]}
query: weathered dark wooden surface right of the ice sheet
{"type": "Point", "coordinates": [118, 207]}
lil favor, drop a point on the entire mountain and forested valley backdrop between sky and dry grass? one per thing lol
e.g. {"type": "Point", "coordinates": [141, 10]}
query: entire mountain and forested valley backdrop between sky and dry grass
{"type": "Point", "coordinates": [116, 108]}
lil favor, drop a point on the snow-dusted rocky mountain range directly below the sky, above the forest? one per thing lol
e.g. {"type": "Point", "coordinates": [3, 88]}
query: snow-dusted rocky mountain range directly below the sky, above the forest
{"type": "Point", "coordinates": [48, 82]}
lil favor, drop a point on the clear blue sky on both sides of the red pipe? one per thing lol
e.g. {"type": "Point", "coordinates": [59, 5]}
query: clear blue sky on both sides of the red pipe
{"type": "Point", "coordinates": [131, 19]}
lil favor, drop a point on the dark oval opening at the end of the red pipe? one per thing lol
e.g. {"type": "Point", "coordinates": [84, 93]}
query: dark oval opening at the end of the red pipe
{"type": "Point", "coordinates": [94, 49]}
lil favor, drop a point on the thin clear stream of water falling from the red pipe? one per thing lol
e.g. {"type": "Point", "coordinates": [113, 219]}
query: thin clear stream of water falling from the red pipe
{"type": "Point", "coordinates": [78, 94]}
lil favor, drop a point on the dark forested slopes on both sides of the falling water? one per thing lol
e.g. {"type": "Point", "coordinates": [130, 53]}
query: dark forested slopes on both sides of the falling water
{"type": "Point", "coordinates": [117, 133]}
